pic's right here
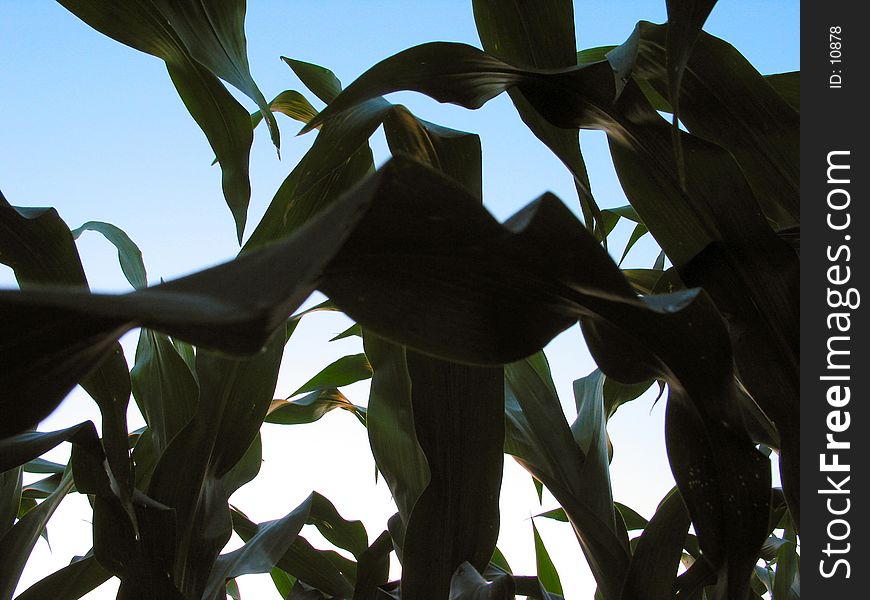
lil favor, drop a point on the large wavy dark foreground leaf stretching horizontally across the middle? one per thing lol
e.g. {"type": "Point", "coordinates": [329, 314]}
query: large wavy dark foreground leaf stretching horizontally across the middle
{"type": "Point", "coordinates": [394, 252]}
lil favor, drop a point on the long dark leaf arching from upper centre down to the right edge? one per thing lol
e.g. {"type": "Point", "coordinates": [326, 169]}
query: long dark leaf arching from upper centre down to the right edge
{"type": "Point", "coordinates": [723, 221]}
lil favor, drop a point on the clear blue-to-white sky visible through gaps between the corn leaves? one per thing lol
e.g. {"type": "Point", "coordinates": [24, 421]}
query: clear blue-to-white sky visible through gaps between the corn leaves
{"type": "Point", "coordinates": [96, 130]}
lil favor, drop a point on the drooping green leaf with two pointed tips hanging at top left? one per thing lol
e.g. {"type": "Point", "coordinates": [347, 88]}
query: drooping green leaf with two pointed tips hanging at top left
{"type": "Point", "coordinates": [200, 42]}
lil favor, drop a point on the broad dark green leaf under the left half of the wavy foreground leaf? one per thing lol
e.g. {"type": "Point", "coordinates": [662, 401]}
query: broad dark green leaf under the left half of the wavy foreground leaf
{"type": "Point", "coordinates": [234, 397]}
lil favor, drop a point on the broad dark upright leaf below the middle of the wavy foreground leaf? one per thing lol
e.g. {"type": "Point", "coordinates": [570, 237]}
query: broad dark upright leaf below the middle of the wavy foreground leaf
{"type": "Point", "coordinates": [457, 412]}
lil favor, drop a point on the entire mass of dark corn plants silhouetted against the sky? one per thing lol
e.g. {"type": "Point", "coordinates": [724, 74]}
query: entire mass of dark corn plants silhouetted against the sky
{"type": "Point", "coordinates": [453, 308]}
